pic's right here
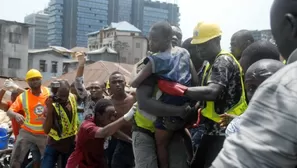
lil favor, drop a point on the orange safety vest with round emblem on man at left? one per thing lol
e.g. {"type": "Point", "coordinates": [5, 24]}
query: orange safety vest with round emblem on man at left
{"type": "Point", "coordinates": [33, 107]}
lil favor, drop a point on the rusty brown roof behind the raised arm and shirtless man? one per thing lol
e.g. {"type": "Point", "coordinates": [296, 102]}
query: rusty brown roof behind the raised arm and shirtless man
{"type": "Point", "coordinates": [99, 71]}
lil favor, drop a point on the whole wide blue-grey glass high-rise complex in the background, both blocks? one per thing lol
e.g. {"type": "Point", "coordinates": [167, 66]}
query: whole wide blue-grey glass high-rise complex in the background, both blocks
{"type": "Point", "coordinates": [71, 20]}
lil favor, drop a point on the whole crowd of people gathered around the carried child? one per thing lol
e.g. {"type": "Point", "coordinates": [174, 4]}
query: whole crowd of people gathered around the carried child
{"type": "Point", "coordinates": [194, 105]}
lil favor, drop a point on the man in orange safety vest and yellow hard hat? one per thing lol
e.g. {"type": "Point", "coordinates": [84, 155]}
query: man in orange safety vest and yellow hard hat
{"type": "Point", "coordinates": [32, 102]}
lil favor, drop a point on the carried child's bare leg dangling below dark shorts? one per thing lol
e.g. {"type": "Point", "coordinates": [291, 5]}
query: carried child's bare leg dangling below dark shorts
{"type": "Point", "coordinates": [162, 140]}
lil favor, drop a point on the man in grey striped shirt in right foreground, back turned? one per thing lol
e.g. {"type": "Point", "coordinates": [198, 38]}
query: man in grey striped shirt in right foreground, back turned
{"type": "Point", "coordinates": [266, 138]}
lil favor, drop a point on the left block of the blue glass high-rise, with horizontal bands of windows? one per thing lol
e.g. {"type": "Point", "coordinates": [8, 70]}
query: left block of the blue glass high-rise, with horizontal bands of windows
{"type": "Point", "coordinates": [71, 20]}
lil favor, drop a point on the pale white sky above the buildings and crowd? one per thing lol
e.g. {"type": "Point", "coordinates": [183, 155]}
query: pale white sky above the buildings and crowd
{"type": "Point", "coordinates": [231, 15]}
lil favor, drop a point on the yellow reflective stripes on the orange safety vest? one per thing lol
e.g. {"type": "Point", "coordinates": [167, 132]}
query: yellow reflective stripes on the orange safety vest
{"type": "Point", "coordinates": [36, 128]}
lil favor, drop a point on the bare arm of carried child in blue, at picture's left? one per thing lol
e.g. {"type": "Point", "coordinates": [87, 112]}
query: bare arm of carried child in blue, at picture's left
{"type": "Point", "coordinates": [142, 75]}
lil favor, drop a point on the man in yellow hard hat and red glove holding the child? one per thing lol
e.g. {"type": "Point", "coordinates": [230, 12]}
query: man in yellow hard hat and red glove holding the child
{"type": "Point", "coordinates": [222, 90]}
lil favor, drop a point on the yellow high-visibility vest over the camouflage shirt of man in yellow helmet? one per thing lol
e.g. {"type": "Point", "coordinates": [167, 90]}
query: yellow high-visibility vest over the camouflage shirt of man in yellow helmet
{"type": "Point", "coordinates": [209, 111]}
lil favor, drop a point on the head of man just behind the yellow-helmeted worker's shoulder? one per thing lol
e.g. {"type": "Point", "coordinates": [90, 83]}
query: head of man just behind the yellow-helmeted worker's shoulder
{"type": "Point", "coordinates": [240, 41]}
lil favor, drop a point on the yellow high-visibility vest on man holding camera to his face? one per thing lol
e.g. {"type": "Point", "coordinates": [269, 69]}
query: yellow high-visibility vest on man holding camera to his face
{"type": "Point", "coordinates": [69, 128]}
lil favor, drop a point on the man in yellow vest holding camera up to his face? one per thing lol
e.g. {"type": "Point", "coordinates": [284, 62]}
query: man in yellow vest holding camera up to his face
{"type": "Point", "coordinates": [61, 125]}
